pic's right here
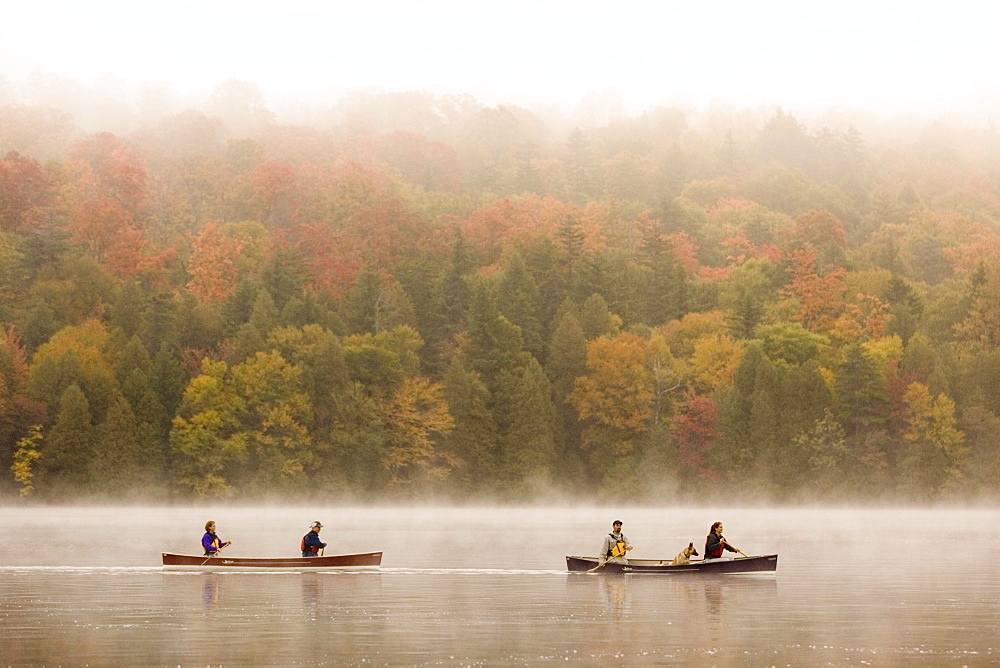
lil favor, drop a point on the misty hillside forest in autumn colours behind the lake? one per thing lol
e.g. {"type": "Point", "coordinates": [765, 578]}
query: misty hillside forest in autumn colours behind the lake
{"type": "Point", "coordinates": [410, 296]}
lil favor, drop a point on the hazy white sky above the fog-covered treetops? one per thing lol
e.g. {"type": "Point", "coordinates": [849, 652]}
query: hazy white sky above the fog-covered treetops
{"type": "Point", "coordinates": [892, 56]}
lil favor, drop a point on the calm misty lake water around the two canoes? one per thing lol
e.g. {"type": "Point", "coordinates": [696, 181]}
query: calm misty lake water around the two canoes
{"type": "Point", "coordinates": [488, 586]}
